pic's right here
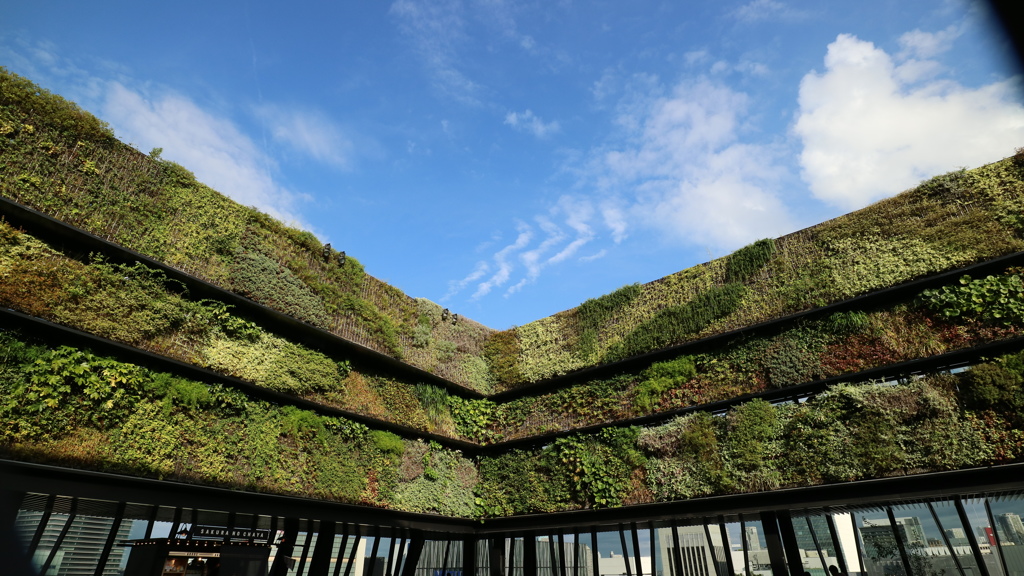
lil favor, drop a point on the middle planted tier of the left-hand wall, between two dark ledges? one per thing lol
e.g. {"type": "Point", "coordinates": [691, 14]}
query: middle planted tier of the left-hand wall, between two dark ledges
{"type": "Point", "coordinates": [140, 307]}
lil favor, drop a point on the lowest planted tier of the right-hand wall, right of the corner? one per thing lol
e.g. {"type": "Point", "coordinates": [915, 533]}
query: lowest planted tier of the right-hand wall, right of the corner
{"type": "Point", "coordinates": [852, 432]}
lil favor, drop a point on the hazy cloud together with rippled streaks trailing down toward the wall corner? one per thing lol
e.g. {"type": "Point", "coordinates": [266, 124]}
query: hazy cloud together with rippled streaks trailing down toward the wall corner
{"type": "Point", "coordinates": [677, 168]}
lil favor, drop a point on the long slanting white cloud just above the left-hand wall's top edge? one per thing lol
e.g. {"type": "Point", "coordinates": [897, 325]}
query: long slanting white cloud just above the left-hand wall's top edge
{"type": "Point", "coordinates": [212, 147]}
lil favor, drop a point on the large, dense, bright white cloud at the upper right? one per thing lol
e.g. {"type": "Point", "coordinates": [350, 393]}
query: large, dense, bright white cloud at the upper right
{"type": "Point", "coordinates": [871, 129]}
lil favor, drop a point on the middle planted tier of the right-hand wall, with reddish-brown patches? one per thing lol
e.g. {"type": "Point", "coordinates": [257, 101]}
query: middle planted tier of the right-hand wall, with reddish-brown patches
{"type": "Point", "coordinates": [963, 315]}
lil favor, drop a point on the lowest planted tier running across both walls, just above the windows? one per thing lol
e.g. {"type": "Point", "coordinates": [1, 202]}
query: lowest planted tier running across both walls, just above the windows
{"type": "Point", "coordinates": [70, 407]}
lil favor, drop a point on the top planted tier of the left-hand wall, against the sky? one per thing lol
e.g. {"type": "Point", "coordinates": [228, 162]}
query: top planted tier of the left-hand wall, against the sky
{"type": "Point", "coordinates": [66, 163]}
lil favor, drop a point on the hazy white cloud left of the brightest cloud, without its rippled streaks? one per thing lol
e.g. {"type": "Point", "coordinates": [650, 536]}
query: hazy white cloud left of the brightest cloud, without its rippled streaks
{"type": "Point", "coordinates": [686, 173]}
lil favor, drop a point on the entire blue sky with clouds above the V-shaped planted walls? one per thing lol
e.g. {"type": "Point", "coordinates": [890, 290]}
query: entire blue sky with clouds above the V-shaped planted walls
{"type": "Point", "coordinates": [510, 159]}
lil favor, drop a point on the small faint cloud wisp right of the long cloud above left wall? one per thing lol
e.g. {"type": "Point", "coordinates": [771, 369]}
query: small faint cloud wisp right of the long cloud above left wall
{"type": "Point", "coordinates": [311, 134]}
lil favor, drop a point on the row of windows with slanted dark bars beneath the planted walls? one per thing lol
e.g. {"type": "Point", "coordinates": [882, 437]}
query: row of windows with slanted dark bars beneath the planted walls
{"type": "Point", "coordinates": [980, 536]}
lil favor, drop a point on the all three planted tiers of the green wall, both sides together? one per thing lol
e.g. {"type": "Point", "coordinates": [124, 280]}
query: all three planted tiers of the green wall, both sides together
{"type": "Point", "coordinates": [71, 407]}
